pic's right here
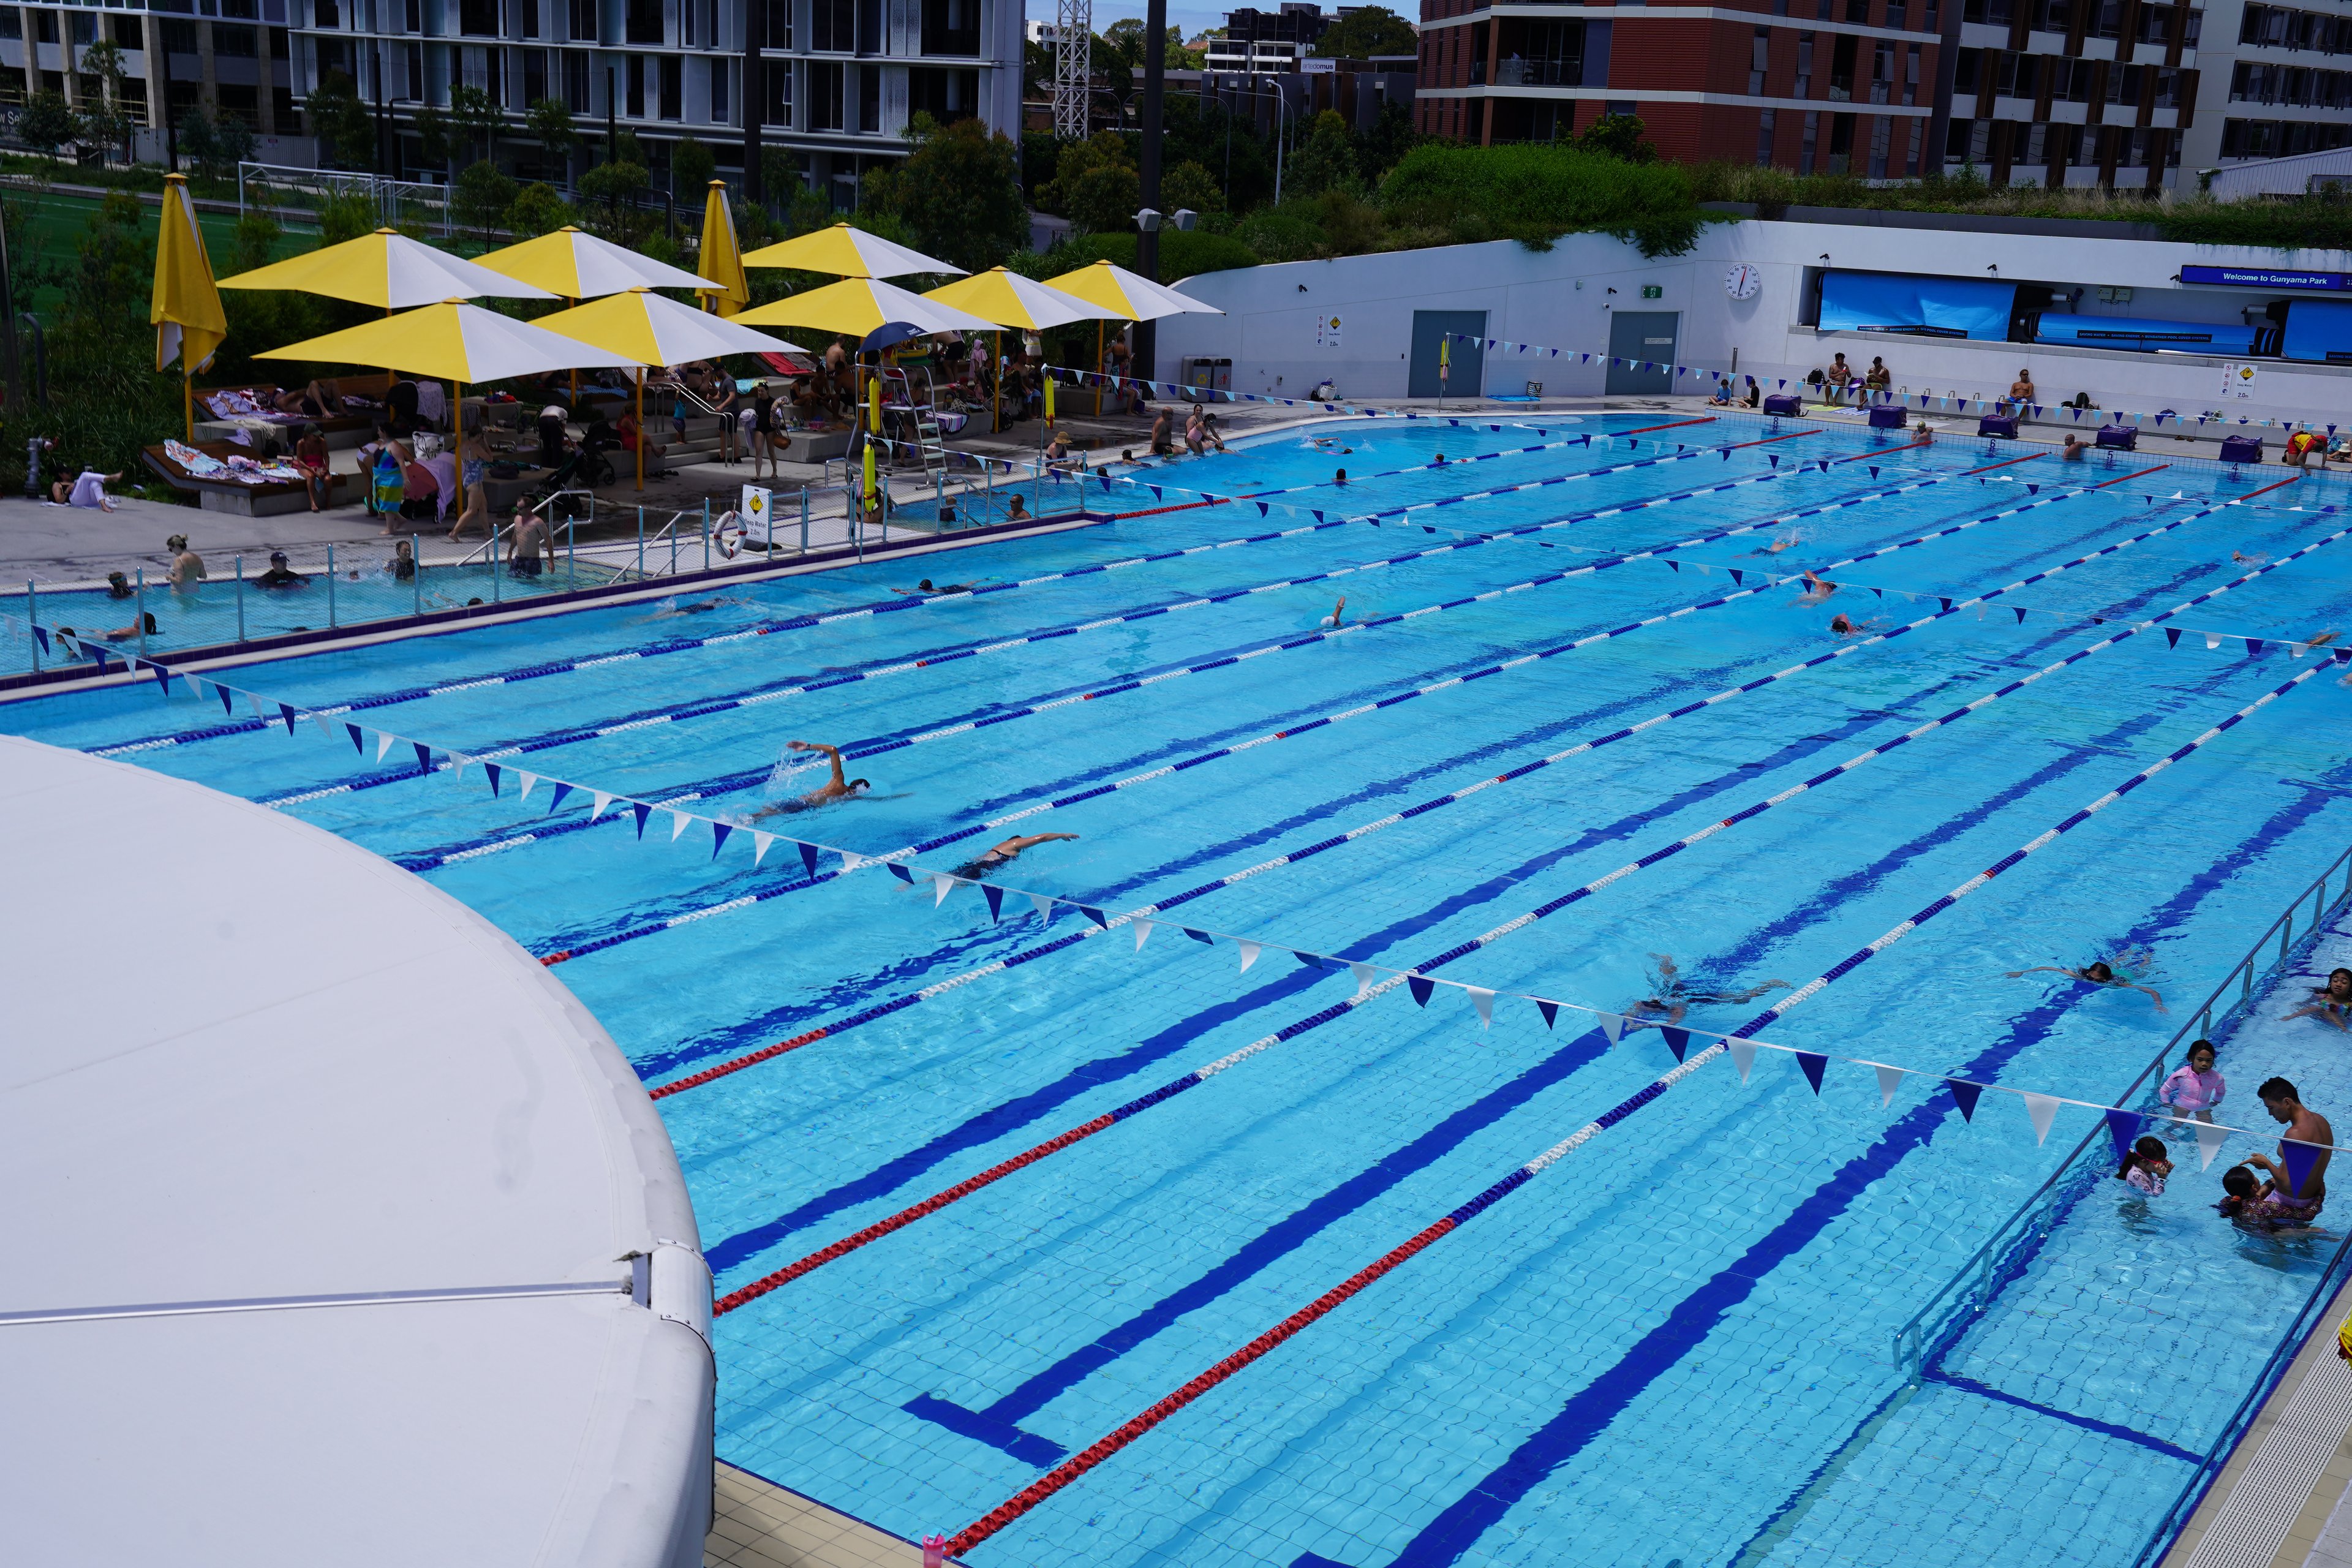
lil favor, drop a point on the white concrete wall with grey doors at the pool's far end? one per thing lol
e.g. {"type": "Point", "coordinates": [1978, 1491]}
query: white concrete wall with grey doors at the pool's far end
{"type": "Point", "coordinates": [1561, 300]}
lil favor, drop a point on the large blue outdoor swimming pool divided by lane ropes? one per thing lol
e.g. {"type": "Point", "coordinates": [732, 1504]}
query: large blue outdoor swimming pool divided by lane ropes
{"type": "Point", "coordinates": [1669, 1346]}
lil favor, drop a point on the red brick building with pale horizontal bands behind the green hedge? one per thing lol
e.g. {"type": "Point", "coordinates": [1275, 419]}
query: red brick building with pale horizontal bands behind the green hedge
{"type": "Point", "coordinates": [1812, 86]}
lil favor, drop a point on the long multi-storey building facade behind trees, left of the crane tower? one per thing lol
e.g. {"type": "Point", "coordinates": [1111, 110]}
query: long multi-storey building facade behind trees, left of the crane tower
{"type": "Point", "coordinates": [836, 81]}
